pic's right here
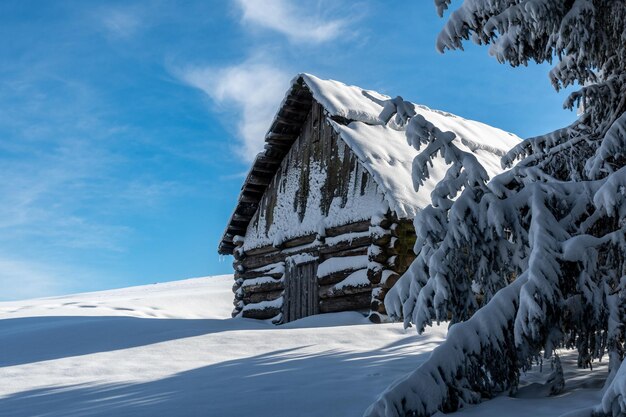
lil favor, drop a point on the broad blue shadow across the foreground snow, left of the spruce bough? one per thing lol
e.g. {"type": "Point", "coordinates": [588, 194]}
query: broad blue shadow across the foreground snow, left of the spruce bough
{"type": "Point", "coordinates": [281, 383]}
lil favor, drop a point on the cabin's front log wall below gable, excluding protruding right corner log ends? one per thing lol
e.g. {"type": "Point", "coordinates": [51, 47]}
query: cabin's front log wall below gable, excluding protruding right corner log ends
{"type": "Point", "coordinates": [261, 275]}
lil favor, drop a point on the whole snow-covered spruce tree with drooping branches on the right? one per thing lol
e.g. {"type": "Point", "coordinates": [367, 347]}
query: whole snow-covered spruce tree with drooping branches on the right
{"type": "Point", "coordinates": [550, 231]}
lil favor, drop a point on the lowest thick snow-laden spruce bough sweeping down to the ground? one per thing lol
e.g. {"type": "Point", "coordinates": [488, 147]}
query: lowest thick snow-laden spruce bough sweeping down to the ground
{"type": "Point", "coordinates": [478, 359]}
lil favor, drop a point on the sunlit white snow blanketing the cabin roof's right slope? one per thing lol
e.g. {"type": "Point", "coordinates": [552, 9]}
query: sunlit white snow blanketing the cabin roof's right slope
{"type": "Point", "coordinates": [383, 148]}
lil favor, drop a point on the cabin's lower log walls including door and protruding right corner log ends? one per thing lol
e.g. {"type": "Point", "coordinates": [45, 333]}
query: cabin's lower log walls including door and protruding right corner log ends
{"type": "Point", "coordinates": [382, 255]}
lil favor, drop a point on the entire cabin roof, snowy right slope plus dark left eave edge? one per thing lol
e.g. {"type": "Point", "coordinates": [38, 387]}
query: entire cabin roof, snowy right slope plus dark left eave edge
{"type": "Point", "coordinates": [360, 117]}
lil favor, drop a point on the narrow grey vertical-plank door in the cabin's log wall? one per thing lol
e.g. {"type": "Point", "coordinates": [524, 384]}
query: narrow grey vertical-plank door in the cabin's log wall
{"type": "Point", "coordinates": [301, 291]}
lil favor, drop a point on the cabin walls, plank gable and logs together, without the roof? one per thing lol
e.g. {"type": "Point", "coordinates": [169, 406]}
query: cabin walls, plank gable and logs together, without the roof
{"type": "Point", "coordinates": [317, 210]}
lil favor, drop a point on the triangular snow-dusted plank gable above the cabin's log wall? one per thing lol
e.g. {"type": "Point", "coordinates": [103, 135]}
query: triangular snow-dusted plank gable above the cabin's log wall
{"type": "Point", "coordinates": [320, 183]}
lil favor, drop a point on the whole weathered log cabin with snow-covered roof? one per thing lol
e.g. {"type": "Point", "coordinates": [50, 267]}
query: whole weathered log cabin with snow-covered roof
{"type": "Point", "coordinates": [324, 220]}
